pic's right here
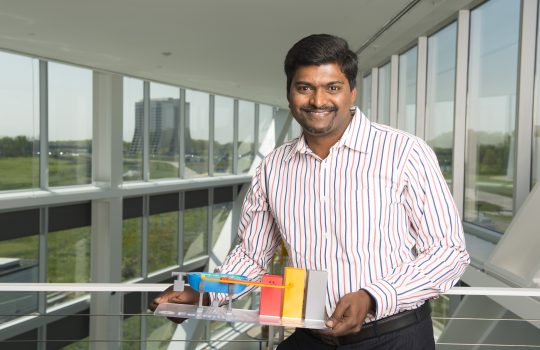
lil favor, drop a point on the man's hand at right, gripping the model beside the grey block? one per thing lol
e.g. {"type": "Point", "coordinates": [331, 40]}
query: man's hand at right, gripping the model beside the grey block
{"type": "Point", "coordinates": [350, 313]}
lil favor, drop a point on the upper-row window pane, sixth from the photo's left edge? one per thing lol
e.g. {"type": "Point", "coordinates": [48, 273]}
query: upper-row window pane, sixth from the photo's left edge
{"type": "Point", "coordinates": [223, 135]}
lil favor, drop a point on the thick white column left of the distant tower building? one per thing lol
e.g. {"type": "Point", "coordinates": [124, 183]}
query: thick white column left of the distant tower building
{"type": "Point", "coordinates": [106, 251]}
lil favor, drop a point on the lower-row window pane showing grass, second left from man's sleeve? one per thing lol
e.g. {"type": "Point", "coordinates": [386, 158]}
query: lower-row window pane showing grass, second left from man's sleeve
{"type": "Point", "coordinates": [195, 232]}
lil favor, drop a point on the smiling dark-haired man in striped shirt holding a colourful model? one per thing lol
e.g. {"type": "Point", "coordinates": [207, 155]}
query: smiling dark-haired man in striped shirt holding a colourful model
{"type": "Point", "coordinates": [362, 201]}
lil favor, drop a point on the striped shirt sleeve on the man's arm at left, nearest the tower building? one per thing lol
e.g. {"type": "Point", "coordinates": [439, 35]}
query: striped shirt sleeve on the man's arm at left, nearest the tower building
{"type": "Point", "coordinates": [257, 240]}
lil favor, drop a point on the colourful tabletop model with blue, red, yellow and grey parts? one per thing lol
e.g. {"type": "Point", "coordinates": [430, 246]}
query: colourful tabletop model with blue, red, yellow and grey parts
{"type": "Point", "coordinates": [296, 299]}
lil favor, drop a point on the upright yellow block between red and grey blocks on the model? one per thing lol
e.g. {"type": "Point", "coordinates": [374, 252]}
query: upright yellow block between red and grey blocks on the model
{"type": "Point", "coordinates": [293, 299]}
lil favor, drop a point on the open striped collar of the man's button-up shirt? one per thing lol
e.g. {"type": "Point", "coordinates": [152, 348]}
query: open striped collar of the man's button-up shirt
{"type": "Point", "coordinates": [355, 137]}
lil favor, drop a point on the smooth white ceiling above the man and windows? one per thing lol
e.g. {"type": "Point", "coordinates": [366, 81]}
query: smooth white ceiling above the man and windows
{"type": "Point", "coordinates": [230, 47]}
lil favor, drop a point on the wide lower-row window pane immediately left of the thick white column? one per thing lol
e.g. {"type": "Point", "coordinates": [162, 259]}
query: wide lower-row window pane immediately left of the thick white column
{"type": "Point", "coordinates": [68, 261]}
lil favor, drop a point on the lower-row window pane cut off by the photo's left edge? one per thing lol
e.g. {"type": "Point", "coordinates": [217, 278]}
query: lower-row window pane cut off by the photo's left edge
{"type": "Point", "coordinates": [18, 263]}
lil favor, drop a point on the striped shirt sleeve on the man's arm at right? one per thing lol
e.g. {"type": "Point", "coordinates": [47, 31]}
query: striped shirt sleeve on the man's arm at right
{"type": "Point", "coordinates": [441, 257]}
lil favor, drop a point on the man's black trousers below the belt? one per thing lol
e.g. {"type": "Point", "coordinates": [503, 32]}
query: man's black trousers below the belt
{"type": "Point", "coordinates": [418, 336]}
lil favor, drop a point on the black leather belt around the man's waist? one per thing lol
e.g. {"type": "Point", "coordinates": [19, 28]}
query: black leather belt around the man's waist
{"type": "Point", "coordinates": [377, 328]}
